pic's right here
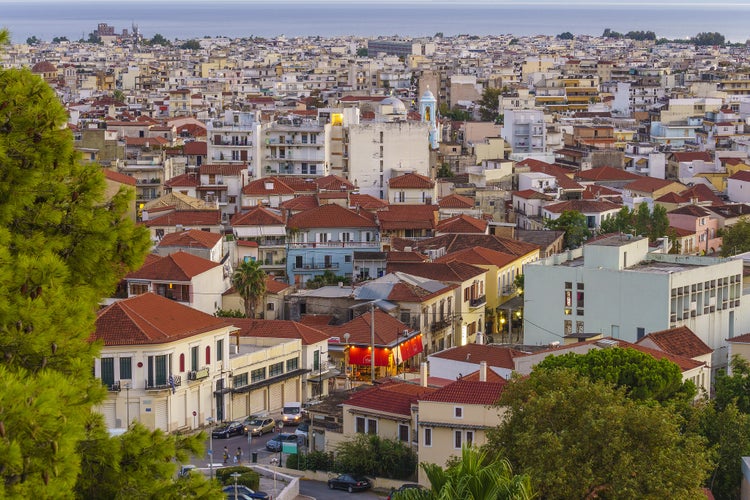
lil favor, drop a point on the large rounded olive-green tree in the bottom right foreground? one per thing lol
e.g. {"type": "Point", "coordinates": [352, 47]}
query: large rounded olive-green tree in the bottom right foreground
{"type": "Point", "coordinates": [578, 438]}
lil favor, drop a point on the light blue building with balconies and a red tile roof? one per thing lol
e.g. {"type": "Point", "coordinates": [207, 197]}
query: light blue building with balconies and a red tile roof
{"type": "Point", "coordinates": [325, 239]}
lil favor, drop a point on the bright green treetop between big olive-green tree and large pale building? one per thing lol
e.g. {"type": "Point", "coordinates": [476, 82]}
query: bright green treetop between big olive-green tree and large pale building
{"type": "Point", "coordinates": [642, 376]}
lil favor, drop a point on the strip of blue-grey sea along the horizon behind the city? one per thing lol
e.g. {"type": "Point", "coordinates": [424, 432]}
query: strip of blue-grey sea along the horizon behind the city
{"type": "Point", "coordinates": [188, 19]}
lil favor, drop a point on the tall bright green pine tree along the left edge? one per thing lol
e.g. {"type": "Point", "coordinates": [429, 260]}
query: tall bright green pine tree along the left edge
{"type": "Point", "coordinates": [63, 247]}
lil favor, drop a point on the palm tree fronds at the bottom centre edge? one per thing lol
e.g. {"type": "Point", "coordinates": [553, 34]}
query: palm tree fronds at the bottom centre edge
{"type": "Point", "coordinates": [474, 477]}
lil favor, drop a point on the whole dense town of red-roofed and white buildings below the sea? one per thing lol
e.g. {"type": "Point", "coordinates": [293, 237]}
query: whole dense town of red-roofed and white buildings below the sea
{"type": "Point", "coordinates": [405, 204]}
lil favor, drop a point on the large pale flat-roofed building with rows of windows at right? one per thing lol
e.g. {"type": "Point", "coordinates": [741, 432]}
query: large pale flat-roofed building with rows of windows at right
{"type": "Point", "coordinates": [615, 287]}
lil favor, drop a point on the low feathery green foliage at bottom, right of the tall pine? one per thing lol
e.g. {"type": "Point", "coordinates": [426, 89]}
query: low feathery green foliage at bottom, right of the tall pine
{"type": "Point", "coordinates": [139, 464]}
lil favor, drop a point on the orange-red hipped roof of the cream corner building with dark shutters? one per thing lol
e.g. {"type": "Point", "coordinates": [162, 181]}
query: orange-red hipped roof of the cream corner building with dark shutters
{"type": "Point", "coordinates": [150, 319]}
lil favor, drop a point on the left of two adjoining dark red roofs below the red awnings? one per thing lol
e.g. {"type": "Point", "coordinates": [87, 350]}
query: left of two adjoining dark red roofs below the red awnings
{"type": "Point", "coordinates": [392, 397]}
